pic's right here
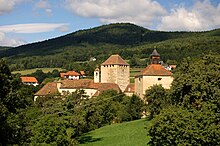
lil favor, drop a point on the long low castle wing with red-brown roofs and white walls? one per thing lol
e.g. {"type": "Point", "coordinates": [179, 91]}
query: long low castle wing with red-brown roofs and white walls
{"type": "Point", "coordinates": [63, 87]}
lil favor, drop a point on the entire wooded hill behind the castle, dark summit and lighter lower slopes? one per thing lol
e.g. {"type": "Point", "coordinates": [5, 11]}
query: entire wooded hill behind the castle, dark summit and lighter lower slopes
{"type": "Point", "coordinates": [132, 42]}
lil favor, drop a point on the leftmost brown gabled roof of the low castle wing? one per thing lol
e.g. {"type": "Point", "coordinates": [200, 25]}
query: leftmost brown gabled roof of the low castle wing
{"type": "Point", "coordinates": [49, 88]}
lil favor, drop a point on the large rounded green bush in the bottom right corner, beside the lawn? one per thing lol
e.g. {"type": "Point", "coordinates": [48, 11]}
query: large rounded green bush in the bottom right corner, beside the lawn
{"type": "Point", "coordinates": [179, 126]}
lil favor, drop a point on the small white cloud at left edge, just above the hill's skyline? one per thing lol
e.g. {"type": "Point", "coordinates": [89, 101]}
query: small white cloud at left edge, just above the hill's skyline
{"type": "Point", "coordinates": [6, 41]}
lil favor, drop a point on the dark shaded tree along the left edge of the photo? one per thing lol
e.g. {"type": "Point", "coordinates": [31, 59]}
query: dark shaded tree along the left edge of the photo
{"type": "Point", "coordinates": [13, 98]}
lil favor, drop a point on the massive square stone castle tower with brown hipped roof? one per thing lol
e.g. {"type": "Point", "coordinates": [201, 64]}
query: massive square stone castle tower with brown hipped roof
{"type": "Point", "coordinates": [115, 70]}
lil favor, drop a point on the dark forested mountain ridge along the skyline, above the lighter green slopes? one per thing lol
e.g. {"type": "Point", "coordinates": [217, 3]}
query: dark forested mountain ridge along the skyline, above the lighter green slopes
{"type": "Point", "coordinates": [118, 33]}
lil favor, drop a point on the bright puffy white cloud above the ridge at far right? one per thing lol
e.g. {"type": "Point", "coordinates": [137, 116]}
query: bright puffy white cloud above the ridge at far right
{"type": "Point", "coordinates": [202, 16]}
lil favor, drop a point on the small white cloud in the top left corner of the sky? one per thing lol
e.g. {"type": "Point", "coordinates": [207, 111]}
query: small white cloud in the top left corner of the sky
{"type": "Point", "coordinates": [7, 6]}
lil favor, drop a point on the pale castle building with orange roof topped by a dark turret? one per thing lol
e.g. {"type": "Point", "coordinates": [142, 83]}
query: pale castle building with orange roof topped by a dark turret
{"type": "Point", "coordinates": [154, 74]}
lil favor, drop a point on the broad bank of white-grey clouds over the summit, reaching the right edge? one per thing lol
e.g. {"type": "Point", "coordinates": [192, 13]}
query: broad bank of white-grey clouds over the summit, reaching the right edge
{"type": "Point", "coordinates": [201, 15]}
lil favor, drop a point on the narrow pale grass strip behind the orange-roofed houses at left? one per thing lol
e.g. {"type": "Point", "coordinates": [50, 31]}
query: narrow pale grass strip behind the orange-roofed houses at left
{"type": "Point", "coordinates": [29, 71]}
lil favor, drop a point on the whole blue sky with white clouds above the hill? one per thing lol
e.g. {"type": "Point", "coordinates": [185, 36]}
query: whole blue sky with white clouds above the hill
{"type": "Point", "coordinates": [28, 21]}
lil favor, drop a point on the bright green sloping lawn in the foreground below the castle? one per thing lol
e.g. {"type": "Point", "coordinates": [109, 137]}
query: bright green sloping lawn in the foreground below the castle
{"type": "Point", "coordinates": [123, 134]}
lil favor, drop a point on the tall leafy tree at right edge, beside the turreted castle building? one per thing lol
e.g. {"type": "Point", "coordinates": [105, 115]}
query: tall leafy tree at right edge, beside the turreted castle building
{"type": "Point", "coordinates": [197, 81]}
